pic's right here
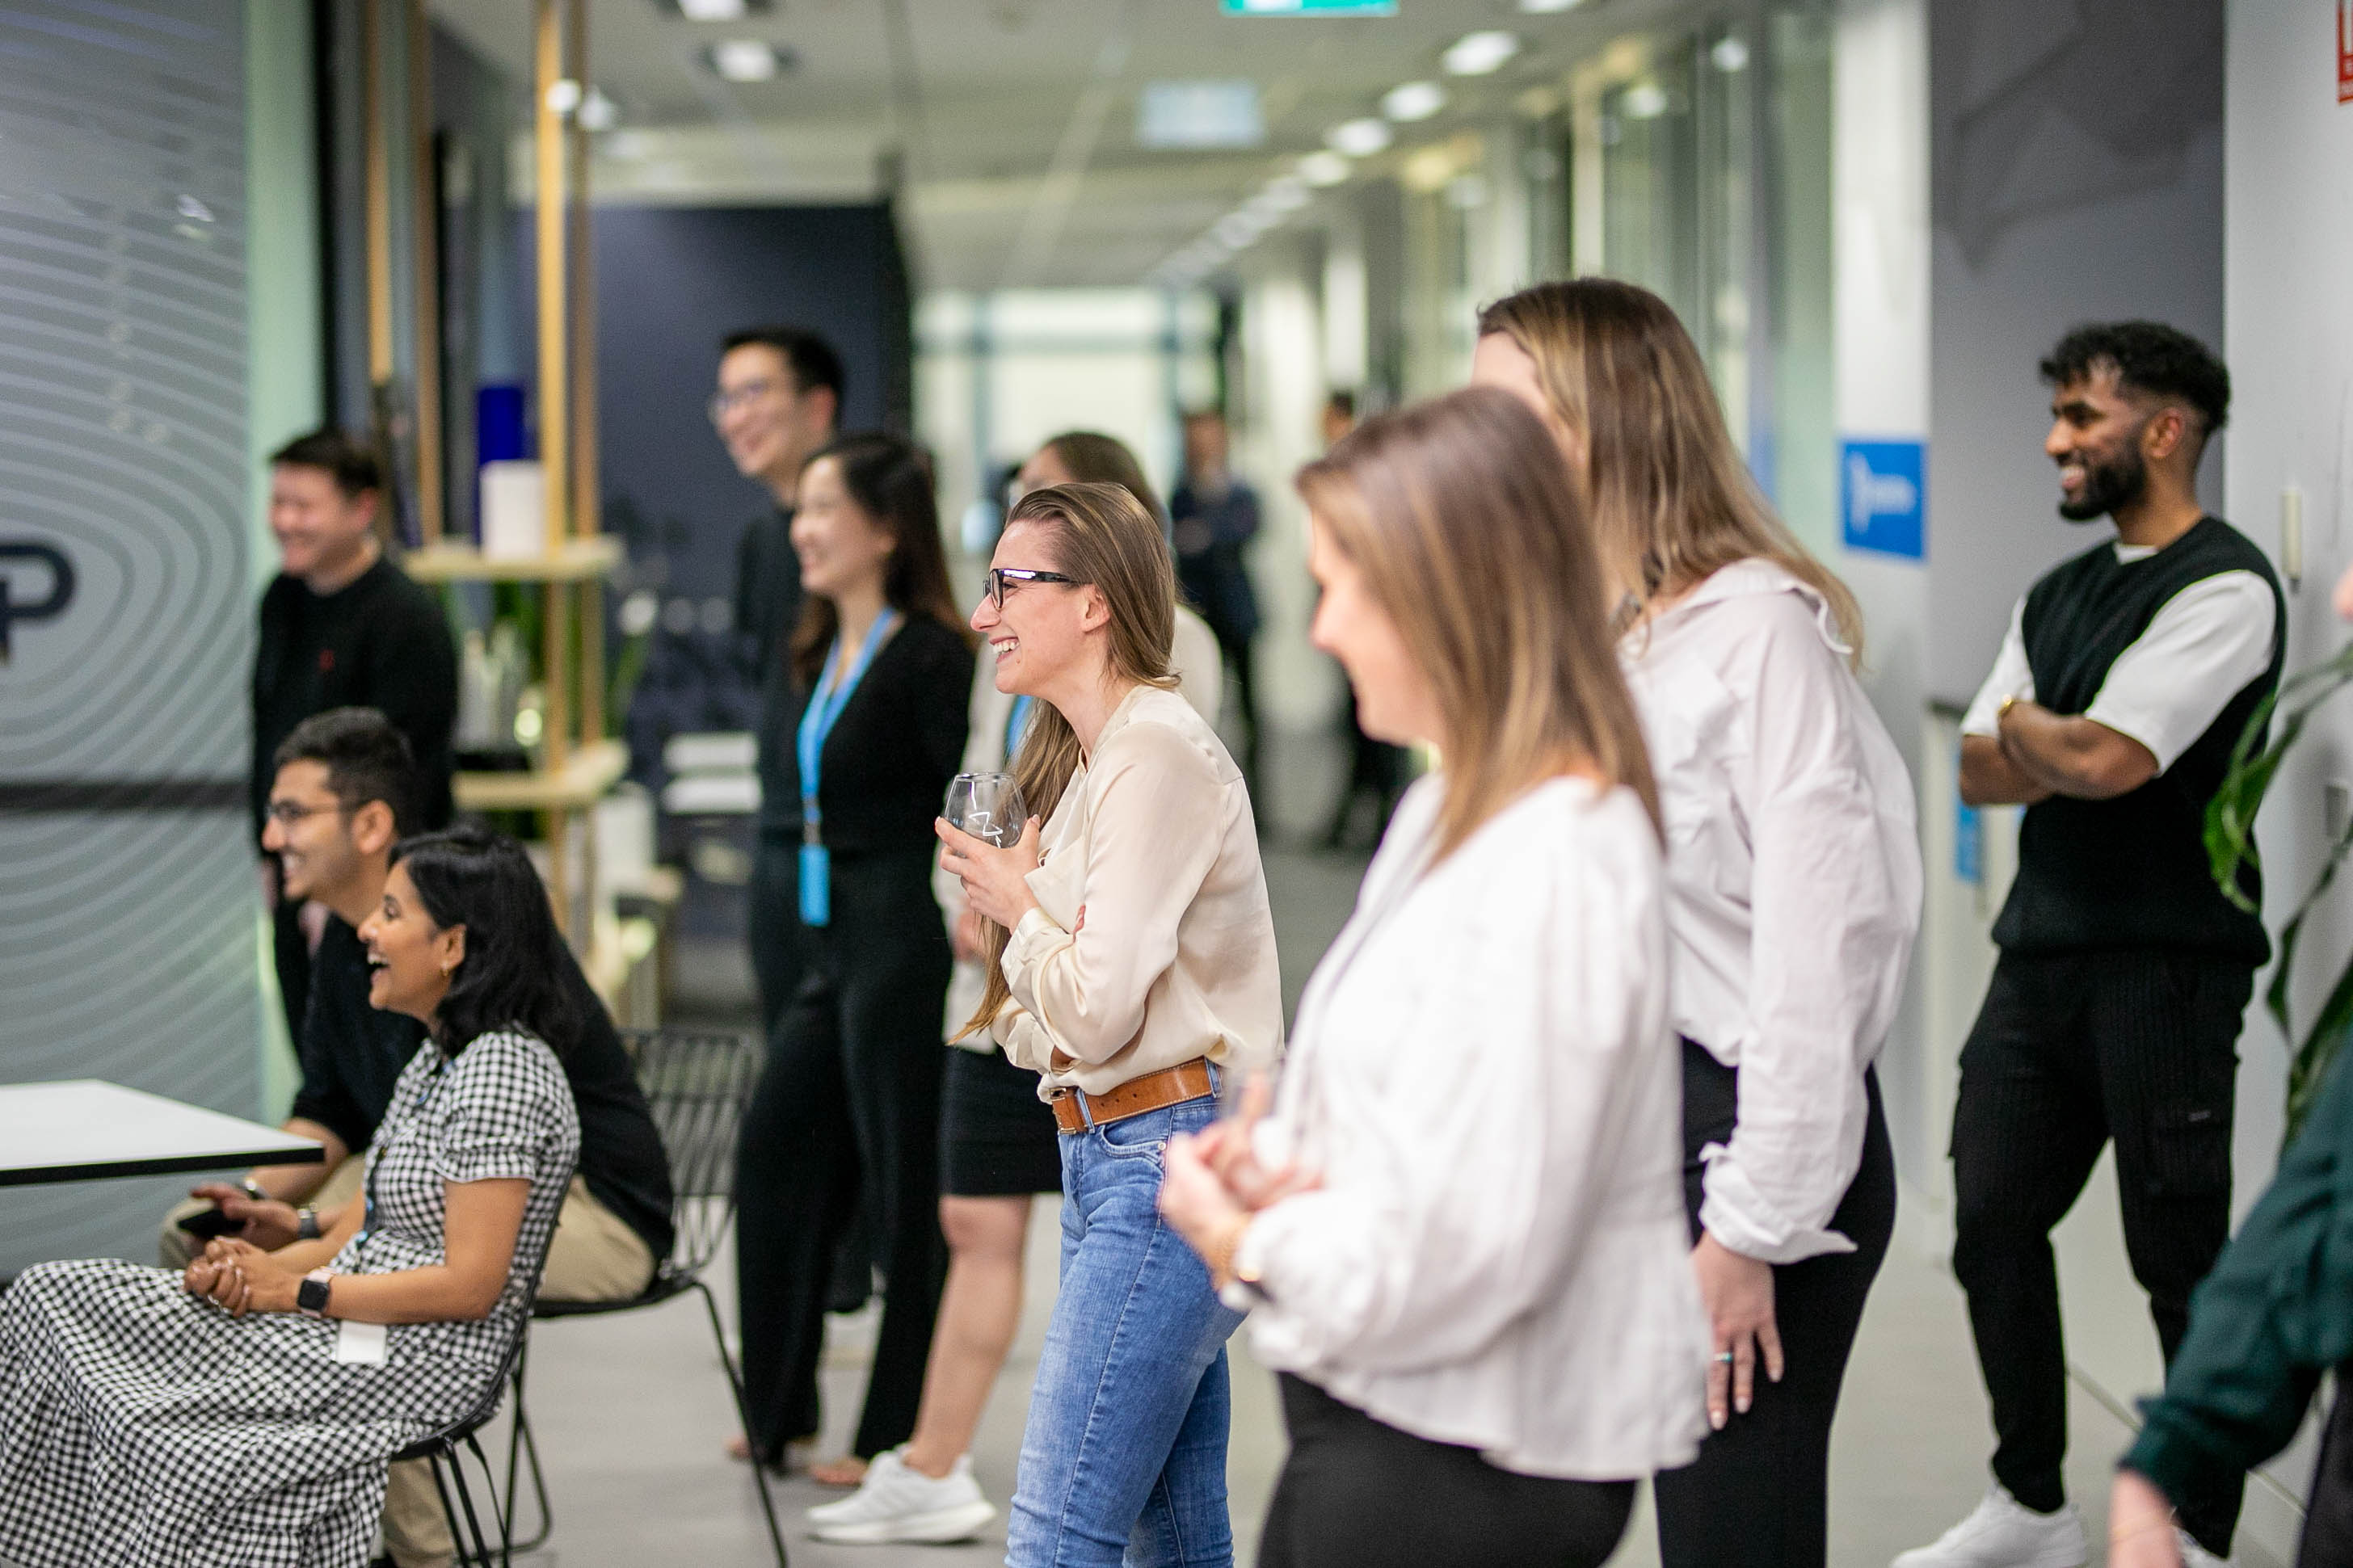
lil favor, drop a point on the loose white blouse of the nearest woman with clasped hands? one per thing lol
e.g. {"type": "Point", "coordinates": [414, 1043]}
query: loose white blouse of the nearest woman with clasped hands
{"type": "Point", "coordinates": [1488, 1087]}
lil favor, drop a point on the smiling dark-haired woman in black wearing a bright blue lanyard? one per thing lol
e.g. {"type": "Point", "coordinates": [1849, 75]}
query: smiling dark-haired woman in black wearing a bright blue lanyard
{"type": "Point", "coordinates": [848, 1106]}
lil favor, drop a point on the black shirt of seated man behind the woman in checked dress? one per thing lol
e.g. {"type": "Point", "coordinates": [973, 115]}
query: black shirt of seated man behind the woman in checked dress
{"type": "Point", "coordinates": [352, 1059]}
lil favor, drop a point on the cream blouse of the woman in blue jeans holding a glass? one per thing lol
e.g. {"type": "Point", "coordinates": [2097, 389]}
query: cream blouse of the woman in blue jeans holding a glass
{"type": "Point", "coordinates": [1178, 951]}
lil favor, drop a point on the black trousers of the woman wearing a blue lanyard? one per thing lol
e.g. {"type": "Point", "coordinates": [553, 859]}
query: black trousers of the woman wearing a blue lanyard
{"type": "Point", "coordinates": [846, 1118]}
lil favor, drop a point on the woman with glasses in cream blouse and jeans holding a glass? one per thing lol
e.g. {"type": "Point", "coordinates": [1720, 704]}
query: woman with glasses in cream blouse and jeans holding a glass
{"type": "Point", "coordinates": [1135, 960]}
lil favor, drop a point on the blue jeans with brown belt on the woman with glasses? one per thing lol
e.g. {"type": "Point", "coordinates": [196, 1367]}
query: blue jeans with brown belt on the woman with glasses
{"type": "Point", "coordinates": [1126, 1449]}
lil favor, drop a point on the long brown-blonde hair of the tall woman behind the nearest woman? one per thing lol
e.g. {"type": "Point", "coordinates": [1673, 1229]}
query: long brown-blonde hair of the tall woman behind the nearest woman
{"type": "Point", "coordinates": [1669, 492]}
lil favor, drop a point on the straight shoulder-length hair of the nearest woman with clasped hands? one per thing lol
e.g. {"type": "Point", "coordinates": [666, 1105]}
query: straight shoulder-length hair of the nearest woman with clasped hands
{"type": "Point", "coordinates": [1472, 537]}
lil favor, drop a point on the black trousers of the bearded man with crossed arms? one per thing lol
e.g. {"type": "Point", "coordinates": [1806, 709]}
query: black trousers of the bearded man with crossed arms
{"type": "Point", "coordinates": [2067, 1054]}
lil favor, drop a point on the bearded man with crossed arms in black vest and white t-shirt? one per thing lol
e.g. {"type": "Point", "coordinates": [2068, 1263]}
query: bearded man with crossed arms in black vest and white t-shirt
{"type": "Point", "coordinates": [2128, 676]}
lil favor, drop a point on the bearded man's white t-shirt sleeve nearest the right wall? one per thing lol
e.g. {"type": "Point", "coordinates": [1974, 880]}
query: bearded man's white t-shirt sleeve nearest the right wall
{"type": "Point", "coordinates": [2199, 652]}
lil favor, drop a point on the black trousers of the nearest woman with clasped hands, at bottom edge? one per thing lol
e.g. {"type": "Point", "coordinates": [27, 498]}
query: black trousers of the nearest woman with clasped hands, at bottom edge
{"type": "Point", "coordinates": [1357, 1494]}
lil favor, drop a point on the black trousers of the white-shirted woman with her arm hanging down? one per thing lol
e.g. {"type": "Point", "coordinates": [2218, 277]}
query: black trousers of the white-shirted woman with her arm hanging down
{"type": "Point", "coordinates": [1759, 1496]}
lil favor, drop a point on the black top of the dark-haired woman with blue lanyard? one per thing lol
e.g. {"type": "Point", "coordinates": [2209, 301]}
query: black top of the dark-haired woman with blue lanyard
{"type": "Point", "coordinates": [898, 744]}
